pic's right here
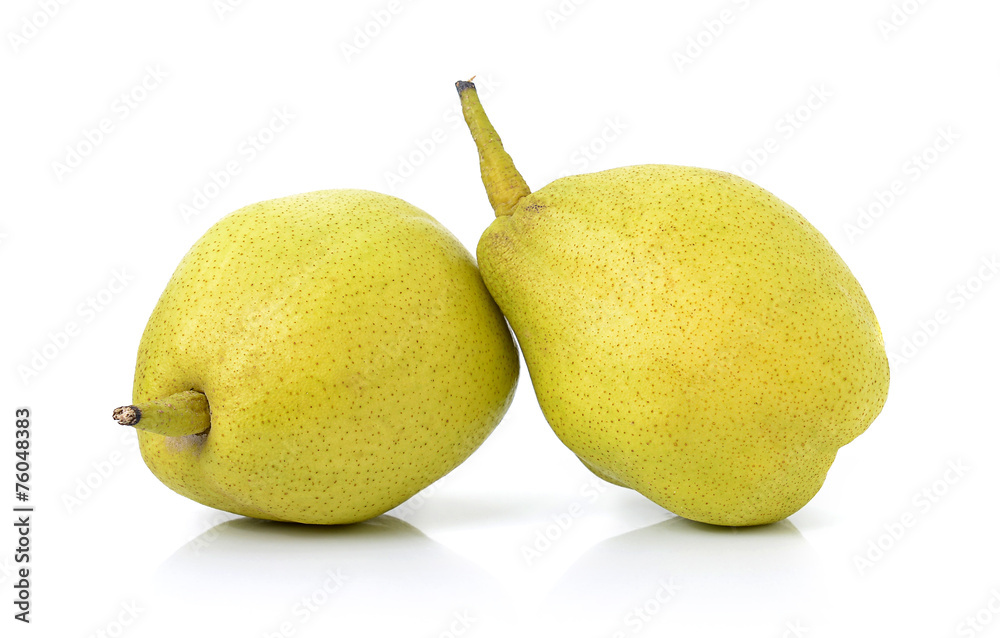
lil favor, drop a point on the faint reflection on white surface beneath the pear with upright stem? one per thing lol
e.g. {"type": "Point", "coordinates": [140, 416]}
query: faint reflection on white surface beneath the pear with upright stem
{"type": "Point", "coordinates": [679, 574]}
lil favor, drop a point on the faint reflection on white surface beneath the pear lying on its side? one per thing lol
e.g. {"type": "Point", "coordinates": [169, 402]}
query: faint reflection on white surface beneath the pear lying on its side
{"type": "Point", "coordinates": [261, 578]}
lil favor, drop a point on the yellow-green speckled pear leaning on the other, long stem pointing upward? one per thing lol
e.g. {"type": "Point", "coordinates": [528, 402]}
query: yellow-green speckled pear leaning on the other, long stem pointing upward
{"type": "Point", "coordinates": [688, 334]}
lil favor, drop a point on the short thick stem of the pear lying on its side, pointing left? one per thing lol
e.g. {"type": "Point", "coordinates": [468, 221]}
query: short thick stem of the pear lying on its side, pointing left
{"type": "Point", "coordinates": [180, 414]}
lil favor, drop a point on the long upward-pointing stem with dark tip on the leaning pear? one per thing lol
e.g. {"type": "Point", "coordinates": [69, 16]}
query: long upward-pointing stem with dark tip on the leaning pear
{"type": "Point", "coordinates": [504, 185]}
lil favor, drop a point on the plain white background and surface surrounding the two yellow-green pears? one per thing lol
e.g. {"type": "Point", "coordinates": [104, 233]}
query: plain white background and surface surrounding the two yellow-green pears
{"type": "Point", "coordinates": [114, 551]}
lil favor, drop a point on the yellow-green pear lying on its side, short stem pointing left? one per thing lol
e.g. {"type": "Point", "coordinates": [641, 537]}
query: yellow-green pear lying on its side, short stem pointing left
{"type": "Point", "coordinates": [345, 348]}
